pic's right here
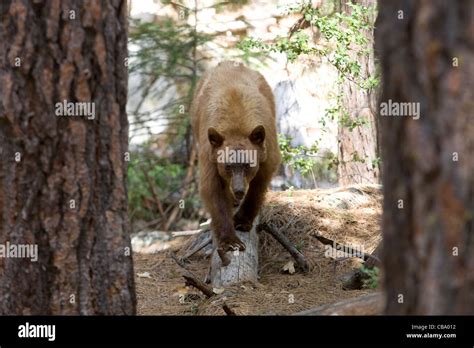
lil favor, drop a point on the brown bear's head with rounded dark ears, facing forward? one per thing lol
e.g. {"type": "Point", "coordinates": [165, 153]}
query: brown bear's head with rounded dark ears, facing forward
{"type": "Point", "coordinates": [238, 158]}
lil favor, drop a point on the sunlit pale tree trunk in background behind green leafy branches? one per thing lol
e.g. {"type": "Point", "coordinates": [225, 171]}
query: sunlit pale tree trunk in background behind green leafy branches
{"type": "Point", "coordinates": [361, 142]}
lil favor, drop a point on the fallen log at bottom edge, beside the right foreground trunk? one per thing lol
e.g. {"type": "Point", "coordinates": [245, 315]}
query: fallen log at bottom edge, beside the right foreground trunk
{"type": "Point", "coordinates": [371, 304]}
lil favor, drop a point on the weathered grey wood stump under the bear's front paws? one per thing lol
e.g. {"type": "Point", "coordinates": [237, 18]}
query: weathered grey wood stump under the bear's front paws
{"type": "Point", "coordinates": [243, 264]}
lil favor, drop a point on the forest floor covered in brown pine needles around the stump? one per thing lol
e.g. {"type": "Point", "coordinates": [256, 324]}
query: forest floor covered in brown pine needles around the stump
{"type": "Point", "coordinates": [350, 216]}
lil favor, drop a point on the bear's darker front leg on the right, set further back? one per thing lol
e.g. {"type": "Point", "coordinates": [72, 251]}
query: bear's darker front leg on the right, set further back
{"type": "Point", "coordinates": [248, 211]}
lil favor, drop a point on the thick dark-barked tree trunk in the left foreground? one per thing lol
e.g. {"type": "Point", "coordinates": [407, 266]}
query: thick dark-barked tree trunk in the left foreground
{"type": "Point", "coordinates": [63, 179]}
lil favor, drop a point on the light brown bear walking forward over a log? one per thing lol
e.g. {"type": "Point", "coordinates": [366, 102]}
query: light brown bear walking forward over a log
{"type": "Point", "coordinates": [233, 120]}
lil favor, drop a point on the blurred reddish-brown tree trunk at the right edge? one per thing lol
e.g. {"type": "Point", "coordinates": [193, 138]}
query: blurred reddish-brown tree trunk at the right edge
{"type": "Point", "coordinates": [429, 162]}
